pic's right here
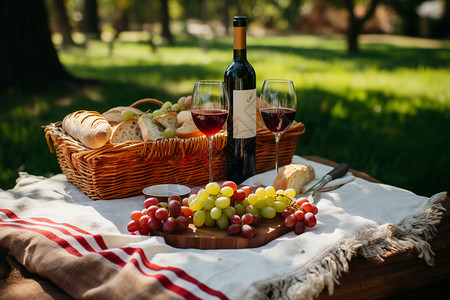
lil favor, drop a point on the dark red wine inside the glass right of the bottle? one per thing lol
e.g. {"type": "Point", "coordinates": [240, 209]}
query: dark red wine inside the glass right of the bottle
{"type": "Point", "coordinates": [278, 119]}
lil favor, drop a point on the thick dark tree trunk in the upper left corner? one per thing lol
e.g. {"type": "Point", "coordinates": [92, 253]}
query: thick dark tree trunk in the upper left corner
{"type": "Point", "coordinates": [28, 58]}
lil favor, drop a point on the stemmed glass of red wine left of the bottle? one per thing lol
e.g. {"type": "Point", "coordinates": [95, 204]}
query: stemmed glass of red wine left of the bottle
{"type": "Point", "coordinates": [209, 109]}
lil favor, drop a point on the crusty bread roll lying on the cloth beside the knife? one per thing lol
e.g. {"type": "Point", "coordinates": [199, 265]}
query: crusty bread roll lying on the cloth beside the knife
{"type": "Point", "coordinates": [294, 176]}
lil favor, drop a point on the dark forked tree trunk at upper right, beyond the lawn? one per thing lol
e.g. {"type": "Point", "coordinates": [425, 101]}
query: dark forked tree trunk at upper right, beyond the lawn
{"type": "Point", "coordinates": [355, 23]}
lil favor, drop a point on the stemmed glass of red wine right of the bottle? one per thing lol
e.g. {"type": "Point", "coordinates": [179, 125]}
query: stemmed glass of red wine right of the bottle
{"type": "Point", "coordinates": [278, 103]}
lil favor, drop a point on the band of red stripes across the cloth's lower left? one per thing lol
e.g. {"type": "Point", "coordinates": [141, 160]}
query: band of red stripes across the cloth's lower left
{"type": "Point", "coordinates": [109, 255]}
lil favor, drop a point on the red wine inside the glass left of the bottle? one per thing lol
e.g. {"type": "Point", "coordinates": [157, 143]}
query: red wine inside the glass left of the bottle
{"type": "Point", "coordinates": [209, 121]}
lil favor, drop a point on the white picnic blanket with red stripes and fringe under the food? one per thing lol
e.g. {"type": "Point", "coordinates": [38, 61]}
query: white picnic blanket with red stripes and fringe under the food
{"type": "Point", "coordinates": [359, 216]}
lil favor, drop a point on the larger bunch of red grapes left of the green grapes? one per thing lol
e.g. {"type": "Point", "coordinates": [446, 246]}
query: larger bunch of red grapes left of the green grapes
{"type": "Point", "coordinates": [168, 216]}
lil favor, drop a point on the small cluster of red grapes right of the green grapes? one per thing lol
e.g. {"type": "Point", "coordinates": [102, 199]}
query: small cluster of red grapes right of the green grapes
{"type": "Point", "coordinates": [300, 213]}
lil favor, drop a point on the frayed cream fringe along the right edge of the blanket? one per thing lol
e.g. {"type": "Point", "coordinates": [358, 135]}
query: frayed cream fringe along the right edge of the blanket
{"type": "Point", "coordinates": [413, 233]}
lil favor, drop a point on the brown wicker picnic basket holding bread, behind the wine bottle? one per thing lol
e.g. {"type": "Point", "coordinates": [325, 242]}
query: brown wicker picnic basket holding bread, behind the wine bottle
{"type": "Point", "coordinates": [123, 170]}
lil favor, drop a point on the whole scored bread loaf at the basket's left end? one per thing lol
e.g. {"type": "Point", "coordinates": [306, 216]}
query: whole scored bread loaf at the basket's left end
{"type": "Point", "coordinates": [88, 127]}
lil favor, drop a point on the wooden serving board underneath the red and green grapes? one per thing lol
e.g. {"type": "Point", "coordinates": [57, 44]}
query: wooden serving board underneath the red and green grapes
{"type": "Point", "coordinates": [214, 238]}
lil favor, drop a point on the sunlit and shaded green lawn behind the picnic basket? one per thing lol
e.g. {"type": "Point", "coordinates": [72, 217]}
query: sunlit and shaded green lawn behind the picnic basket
{"type": "Point", "coordinates": [385, 111]}
